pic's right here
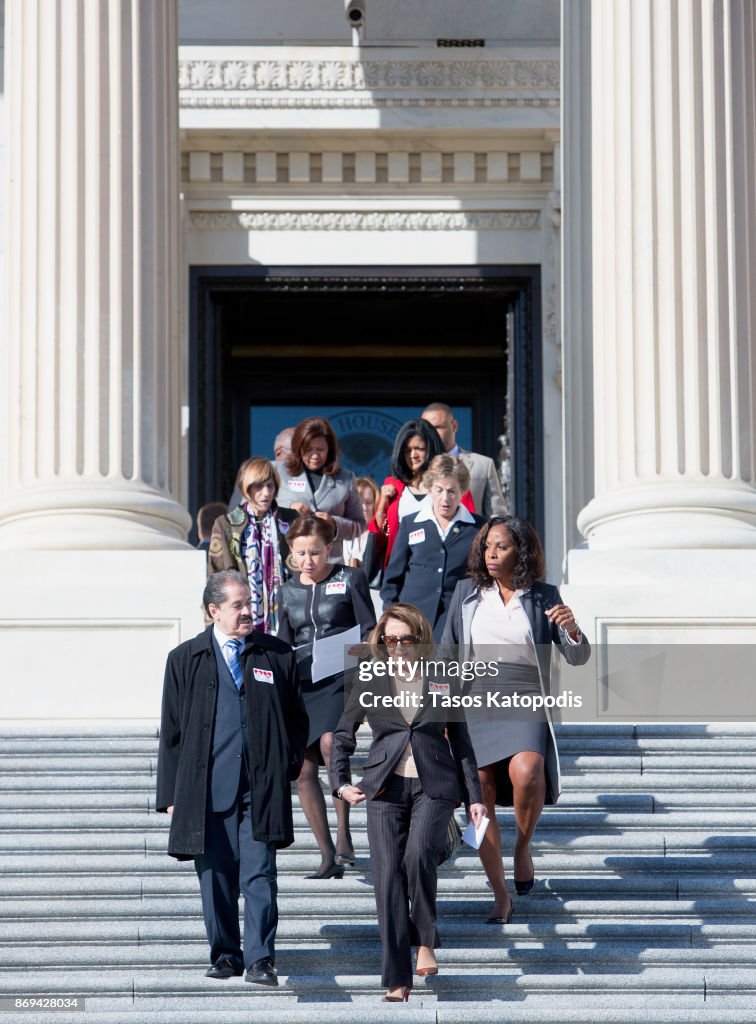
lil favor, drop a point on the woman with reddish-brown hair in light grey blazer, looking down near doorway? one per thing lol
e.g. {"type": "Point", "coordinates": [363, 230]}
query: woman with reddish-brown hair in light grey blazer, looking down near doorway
{"type": "Point", "coordinates": [313, 482]}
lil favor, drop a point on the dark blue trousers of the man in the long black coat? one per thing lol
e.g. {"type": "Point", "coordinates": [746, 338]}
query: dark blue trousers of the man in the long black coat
{"type": "Point", "coordinates": [235, 862]}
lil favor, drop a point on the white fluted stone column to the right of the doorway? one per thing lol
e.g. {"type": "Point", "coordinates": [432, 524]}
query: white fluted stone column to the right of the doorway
{"type": "Point", "coordinates": [675, 283]}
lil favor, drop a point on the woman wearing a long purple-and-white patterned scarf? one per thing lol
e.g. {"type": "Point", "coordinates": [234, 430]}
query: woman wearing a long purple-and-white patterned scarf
{"type": "Point", "coordinates": [253, 540]}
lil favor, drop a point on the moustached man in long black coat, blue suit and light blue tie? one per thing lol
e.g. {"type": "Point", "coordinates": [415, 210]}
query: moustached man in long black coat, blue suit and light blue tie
{"type": "Point", "coordinates": [232, 740]}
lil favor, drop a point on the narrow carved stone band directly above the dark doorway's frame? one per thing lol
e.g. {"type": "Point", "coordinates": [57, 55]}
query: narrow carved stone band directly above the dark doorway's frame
{"type": "Point", "coordinates": [371, 221]}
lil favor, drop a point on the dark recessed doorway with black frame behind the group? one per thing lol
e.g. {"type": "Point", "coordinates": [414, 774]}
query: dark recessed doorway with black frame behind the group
{"type": "Point", "coordinates": [373, 346]}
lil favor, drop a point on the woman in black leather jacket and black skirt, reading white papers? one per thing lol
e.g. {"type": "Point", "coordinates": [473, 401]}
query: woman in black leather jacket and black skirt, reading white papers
{"type": "Point", "coordinates": [322, 602]}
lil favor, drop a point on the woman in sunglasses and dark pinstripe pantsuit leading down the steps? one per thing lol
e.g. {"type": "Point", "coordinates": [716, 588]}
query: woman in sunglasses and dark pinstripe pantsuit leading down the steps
{"type": "Point", "coordinates": [419, 767]}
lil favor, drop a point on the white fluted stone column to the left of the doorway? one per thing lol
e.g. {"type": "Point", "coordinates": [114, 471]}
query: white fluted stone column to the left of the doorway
{"type": "Point", "coordinates": [93, 385]}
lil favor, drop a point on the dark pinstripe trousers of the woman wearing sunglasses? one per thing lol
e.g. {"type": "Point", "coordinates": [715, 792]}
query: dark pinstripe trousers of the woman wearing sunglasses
{"type": "Point", "coordinates": [407, 832]}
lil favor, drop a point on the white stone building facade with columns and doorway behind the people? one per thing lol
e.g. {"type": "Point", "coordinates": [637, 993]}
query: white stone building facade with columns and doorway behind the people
{"type": "Point", "coordinates": [215, 215]}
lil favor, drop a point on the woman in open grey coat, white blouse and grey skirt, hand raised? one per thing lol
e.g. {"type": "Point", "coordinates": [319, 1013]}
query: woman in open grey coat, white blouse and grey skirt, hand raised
{"type": "Point", "coordinates": [505, 614]}
